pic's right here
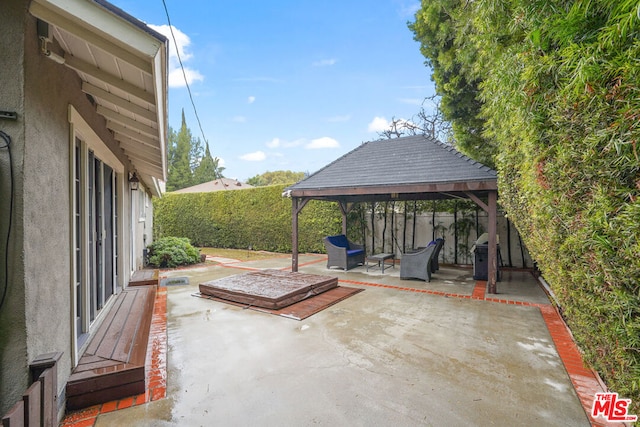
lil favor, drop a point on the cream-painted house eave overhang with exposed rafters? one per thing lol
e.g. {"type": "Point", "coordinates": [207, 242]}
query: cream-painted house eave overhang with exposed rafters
{"type": "Point", "coordinates": [123, 66]}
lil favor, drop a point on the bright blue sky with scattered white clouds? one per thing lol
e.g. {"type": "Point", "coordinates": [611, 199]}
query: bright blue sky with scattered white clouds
{"type": "Point", "coordinates": [288, 85]}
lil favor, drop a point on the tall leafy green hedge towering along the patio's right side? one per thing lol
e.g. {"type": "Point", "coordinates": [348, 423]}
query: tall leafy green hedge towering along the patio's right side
{"type": "Point", "coordinates": [559, 90]}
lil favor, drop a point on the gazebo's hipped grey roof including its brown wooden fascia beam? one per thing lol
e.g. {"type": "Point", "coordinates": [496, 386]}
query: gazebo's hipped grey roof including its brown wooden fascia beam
{"type": "Point", "coordinates": [400, 166]}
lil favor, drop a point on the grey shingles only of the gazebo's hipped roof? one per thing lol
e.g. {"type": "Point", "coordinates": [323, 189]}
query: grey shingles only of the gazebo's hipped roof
{"type": "Point", "coordinates": [408, 160]}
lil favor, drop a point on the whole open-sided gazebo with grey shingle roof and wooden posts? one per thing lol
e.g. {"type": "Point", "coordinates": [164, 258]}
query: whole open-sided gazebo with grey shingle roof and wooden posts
{"type": "Point", "coordinates": [408, 168]}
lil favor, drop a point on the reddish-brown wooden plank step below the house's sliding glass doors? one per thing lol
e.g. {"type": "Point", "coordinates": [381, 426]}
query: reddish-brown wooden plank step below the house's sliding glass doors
{"type": "Point", "coordinates": [113, 366]}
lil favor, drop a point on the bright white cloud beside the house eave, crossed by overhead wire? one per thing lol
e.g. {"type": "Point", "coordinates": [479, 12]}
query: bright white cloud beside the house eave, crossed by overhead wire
{"type": "Point", "coordinates": [182, 42]}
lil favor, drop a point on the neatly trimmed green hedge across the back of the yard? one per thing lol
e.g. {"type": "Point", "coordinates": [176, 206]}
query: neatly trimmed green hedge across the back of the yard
{"type": "Point", "coordinates": [259, 218]}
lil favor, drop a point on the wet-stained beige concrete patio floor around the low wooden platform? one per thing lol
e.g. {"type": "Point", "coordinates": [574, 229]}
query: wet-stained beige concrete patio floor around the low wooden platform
{"type": "Point", "coordinates": [402, 352]}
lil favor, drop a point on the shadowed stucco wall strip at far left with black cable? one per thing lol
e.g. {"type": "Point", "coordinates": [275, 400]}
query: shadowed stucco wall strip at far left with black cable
{"type": "Point", "coordinates": [13, 345]}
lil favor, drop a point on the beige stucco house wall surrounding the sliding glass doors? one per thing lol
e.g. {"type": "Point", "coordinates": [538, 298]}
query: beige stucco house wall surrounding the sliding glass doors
{"type": "Point", "coordinates": [36, 316]}
